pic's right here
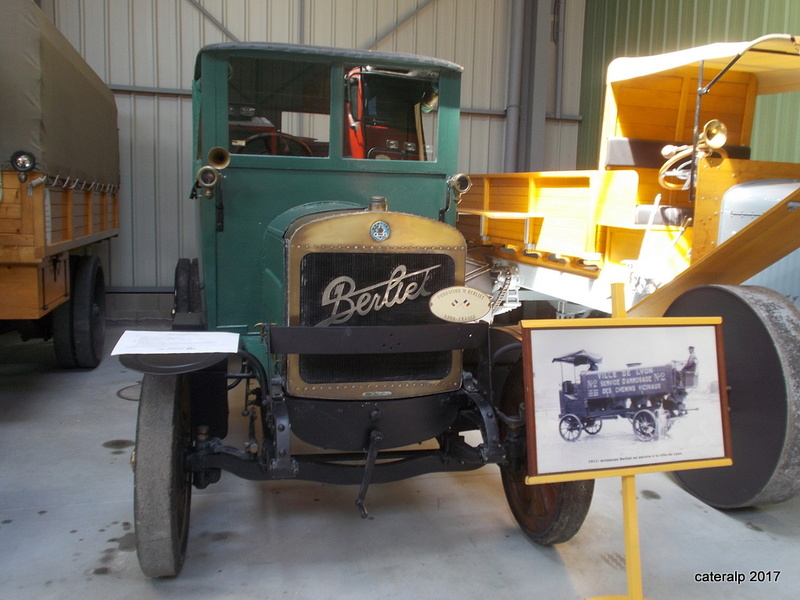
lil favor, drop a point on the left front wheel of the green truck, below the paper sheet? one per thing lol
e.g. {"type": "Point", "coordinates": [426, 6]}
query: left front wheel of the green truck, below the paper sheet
{"type": "Point", "coordinates": [162, 484]}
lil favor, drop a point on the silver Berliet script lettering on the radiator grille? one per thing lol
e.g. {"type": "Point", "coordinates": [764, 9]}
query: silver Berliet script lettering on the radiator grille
{"type": "Point", "coordinates": [347, 300]}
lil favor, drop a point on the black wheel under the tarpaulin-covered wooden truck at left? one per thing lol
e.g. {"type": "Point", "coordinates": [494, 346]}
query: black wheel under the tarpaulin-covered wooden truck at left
{"type": "Point", "coordinates": [79, 324]}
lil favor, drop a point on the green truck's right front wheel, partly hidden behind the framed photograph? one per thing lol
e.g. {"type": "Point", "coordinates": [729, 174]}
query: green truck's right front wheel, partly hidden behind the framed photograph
{"type": "Point", "coordinates": [549, 513]}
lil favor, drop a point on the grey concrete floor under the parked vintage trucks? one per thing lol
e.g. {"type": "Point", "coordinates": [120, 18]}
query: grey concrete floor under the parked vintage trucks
{"type": "Point", "coordinates": [66, 521]}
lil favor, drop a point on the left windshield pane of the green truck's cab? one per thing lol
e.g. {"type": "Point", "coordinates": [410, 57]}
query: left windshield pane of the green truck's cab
{"type": "Point", "coordinates": [278, 107]}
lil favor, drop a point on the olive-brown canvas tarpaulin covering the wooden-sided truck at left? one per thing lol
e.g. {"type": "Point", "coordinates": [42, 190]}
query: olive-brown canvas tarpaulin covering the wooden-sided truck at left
{"type": "Point", "coordinates": [51, 102]}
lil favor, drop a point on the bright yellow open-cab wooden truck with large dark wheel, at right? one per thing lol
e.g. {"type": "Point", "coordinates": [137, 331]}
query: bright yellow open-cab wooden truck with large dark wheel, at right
{"type": "Point", "coordinates": [680, 211]}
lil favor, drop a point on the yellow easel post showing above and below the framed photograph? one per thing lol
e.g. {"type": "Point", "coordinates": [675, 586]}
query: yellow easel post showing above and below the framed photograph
{"type": "Point", "coordinates": [630, 513]}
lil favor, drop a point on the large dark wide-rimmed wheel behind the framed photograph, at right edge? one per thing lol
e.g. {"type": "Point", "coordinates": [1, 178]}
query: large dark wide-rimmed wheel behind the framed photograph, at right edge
{"type": "Point", "coordinates": [761, 337]}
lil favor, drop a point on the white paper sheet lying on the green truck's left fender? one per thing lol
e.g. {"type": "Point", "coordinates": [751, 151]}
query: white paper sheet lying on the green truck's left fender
{"type": "Point", "coordinates": [176, 342]}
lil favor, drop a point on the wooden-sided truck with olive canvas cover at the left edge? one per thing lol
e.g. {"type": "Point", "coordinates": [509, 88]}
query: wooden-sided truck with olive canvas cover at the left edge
{"type": "Point", "coordinates": [59, 156]}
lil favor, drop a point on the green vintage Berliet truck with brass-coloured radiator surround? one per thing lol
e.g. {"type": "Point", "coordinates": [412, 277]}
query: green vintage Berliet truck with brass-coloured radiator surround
{"type": "Point", "coordinates": [327, 191]}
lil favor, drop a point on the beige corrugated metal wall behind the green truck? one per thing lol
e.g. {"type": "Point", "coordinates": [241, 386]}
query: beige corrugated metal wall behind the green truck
{"type": "Point", "coordinates": [145, 50]}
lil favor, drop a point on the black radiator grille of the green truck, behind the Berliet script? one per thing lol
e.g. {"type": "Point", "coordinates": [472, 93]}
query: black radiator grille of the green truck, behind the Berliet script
{"type": "Point", "coordinates": [363, 289]}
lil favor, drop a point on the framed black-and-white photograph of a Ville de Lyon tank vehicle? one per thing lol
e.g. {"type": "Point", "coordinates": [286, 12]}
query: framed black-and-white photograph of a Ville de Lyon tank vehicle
{"type": "Point", "coordinates": [624, 393]}
